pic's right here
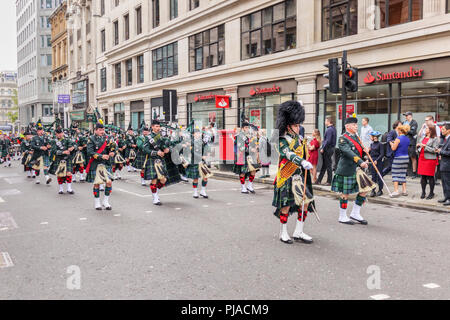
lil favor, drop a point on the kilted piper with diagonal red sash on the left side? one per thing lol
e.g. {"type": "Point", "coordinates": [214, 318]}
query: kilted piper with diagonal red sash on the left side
{"type": "Point", "coordinates": [100, 150]}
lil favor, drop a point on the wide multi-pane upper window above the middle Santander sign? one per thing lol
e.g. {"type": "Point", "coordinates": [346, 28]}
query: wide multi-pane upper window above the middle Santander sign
{"type": "Point", "coordinates": [270, 30]}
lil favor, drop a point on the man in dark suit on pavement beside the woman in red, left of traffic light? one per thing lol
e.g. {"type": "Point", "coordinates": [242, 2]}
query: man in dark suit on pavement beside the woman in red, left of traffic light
{"type": "Point", "coordinates": [327, 150]}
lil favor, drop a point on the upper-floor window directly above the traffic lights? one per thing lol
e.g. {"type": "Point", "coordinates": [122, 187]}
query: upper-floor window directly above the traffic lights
{"type": "Point", "coordinates": [339, 19]}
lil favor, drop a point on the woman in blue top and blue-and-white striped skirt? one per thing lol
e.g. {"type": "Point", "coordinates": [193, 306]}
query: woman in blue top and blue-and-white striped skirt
{"type": "Point", "coordinates": [401, 160]}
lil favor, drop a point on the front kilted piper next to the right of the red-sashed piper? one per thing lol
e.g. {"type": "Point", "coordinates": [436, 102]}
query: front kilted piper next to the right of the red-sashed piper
{"type": "Point", "coordinates": [155, 148]}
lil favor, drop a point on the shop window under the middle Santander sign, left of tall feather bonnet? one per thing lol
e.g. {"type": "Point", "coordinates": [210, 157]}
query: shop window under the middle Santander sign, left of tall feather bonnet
{"type": "Point", "coordinates": [262, 110]}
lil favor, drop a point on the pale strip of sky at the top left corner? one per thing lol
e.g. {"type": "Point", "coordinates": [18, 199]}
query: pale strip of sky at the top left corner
{"type": "Point", "coordinates": [8, 43]}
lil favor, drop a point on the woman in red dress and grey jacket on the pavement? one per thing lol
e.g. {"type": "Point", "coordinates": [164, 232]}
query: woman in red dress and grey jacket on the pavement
{"type": "Point", "coordinates": [426, 149]}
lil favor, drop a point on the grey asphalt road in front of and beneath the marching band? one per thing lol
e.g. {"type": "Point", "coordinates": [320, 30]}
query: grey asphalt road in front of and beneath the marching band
{"type": "Point", "coordinates": [225, 247]}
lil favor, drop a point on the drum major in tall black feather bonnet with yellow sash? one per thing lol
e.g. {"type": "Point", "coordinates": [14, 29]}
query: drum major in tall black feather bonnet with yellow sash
{"type": "Point", "coordinates": [290, 194]}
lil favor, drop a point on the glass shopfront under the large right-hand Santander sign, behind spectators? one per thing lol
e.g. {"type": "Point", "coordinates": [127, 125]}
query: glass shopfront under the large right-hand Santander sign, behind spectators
{"type": "Point", "coordinates": [385, 103]}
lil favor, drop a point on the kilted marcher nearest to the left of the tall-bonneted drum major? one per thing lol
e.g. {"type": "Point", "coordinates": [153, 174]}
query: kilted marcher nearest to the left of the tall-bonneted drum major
{"type": "Point", "coordinates": [242, 167]}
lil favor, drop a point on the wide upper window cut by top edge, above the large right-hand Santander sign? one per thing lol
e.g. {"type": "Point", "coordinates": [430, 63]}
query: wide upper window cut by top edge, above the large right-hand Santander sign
{"type": "Point", "coordinates": [392, 12]}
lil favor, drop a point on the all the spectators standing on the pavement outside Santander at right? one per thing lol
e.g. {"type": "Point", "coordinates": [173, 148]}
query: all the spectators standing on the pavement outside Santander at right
{"type": "Point", "coordinates": [424, 150]}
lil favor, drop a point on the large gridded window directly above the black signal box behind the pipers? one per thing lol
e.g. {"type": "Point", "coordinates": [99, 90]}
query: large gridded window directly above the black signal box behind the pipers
{"type": "Point", "coordinates": [165, 61]}
